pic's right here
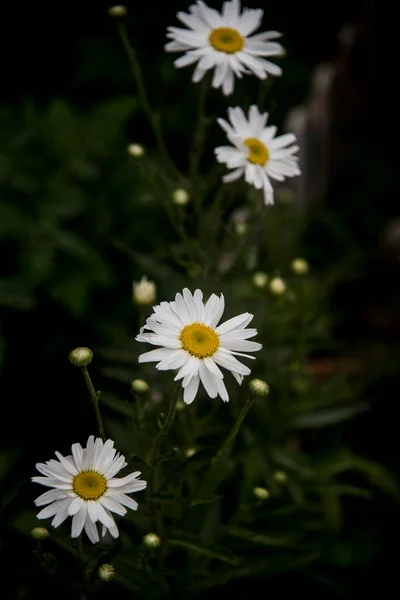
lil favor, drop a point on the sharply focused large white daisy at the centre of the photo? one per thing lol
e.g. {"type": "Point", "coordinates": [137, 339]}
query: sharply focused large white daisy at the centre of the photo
{"type": "Point", "coordinates": [191, 342]}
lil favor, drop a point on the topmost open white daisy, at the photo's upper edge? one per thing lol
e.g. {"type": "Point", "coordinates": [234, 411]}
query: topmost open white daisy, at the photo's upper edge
{"type": "Point", "coordinates": [221, 41]}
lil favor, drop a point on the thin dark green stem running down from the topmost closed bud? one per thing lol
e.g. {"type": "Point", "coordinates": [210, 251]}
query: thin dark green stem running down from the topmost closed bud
{"type": "Point", "coordinates": [143, 97]}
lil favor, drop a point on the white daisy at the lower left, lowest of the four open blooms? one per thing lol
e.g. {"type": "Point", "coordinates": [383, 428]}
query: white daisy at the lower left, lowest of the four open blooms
{"type": "Point", "coordinates": [86, 489]}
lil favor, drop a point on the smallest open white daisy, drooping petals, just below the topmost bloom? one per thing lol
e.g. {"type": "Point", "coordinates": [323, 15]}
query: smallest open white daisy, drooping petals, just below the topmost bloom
{"type": "Point", "coordinates": [257, 153]}
